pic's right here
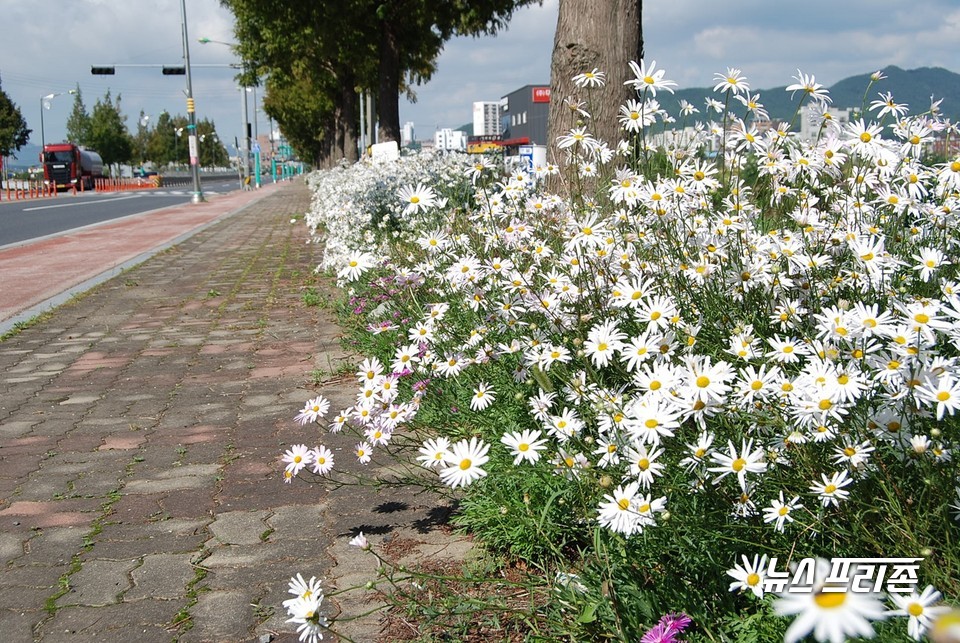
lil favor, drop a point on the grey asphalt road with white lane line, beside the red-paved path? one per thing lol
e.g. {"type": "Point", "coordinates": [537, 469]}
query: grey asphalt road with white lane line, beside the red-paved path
{"type": "Point", "coordinates": [31, 219]}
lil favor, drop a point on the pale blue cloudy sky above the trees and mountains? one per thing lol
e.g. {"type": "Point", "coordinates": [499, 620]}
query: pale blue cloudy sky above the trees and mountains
{"type": "Point", "coordinates": [50, 45]}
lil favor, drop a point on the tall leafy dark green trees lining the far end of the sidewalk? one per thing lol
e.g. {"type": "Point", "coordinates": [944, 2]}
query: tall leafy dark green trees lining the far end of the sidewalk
{"type": "Point", "coordinates": [338, 49]}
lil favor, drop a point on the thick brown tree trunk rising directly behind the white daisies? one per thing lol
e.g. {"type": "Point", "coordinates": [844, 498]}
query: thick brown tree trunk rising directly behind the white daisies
{"type": "Point", "coordinates": [593, 34]}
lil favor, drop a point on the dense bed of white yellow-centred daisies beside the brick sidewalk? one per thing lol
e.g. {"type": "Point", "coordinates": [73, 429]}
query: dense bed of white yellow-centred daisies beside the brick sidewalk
{"type": "Point", "coordinates": [721, 346]}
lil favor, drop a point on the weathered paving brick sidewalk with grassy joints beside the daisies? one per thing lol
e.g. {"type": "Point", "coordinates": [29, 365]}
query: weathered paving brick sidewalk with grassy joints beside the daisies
{"type": "Point", "coordinates": [140, 434]}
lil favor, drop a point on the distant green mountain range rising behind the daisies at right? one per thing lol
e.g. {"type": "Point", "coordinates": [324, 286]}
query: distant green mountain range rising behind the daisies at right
{"type": "Point", "coordinates": [914, 87]}
